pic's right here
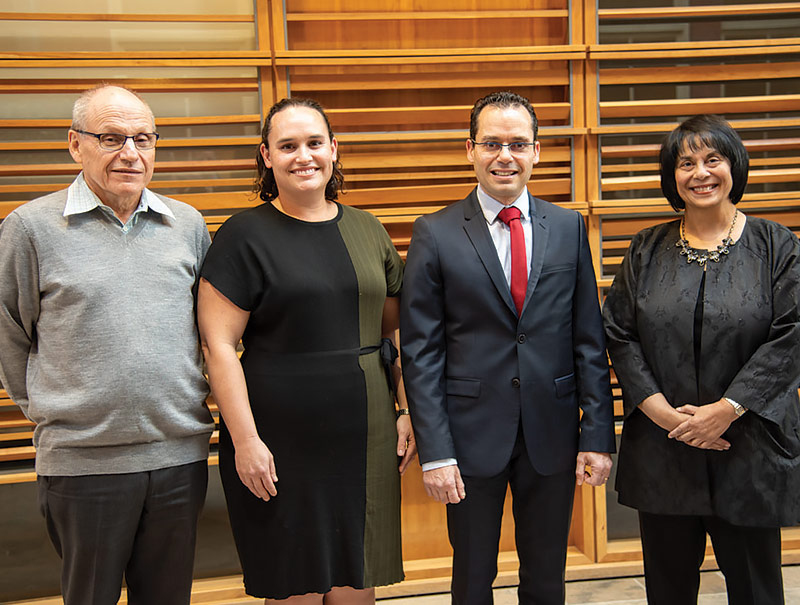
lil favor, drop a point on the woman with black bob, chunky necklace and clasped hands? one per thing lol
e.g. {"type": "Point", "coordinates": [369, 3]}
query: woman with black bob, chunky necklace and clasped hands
{"type": "Point", "coordinates": [702, 329]}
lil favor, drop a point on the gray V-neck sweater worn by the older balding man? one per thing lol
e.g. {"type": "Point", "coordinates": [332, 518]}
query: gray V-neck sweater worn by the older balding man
{"type": "Point", "coordinates": [98, 341]}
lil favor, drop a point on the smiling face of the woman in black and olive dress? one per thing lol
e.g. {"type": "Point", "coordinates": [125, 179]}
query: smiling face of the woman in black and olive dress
{"type": "Point", "coordinates": [300, 152]}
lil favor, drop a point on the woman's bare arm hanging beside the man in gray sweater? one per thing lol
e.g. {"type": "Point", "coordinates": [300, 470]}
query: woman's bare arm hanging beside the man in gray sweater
{"type": "Point", "coordinates": [221, 325]}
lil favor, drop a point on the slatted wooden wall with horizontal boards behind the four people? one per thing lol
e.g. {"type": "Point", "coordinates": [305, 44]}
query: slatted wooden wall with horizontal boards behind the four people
{"type": "Point", "coordinates": [398, 77]}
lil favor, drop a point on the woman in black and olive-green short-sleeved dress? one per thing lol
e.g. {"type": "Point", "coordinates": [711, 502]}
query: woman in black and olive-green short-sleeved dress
{"type": "Point", "coordinates": [310, 287]}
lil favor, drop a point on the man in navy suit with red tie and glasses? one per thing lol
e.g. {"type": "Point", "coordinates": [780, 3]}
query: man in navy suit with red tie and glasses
{"type": "Point", "coordinates": [500, 358]}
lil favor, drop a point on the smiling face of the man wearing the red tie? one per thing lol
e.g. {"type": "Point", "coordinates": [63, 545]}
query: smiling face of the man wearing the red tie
{"type": "Point", "coordinates": [503, 175]}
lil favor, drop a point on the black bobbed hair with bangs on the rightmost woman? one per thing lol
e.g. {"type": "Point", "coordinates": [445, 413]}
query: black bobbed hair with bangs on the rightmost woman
{"type": "Point", "coordinates": [703, 131]}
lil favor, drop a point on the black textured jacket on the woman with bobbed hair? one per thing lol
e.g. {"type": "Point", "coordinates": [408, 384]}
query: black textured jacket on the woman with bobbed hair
{"type": "Point", "coordinates": [749, 351]}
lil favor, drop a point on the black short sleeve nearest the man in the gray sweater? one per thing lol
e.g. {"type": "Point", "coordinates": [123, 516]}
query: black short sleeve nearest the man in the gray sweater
{"type": "Point", "coordinates": [231, 264]}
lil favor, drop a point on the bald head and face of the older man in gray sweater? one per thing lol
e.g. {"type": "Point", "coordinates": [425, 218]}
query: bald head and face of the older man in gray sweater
{"type": "Point", "coordinates": [116, 177]}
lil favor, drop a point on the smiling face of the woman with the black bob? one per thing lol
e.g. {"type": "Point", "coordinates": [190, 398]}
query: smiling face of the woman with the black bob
{"type": "Point", "coordinates": [703, 177]}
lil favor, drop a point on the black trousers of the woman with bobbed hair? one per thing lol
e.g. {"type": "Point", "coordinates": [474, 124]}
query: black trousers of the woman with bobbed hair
{"type": "Point", "coordinates": [674, 547]}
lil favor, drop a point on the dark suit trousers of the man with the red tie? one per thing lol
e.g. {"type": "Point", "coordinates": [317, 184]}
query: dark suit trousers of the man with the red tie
{"type": "Point", "coordinates": [542, 507]}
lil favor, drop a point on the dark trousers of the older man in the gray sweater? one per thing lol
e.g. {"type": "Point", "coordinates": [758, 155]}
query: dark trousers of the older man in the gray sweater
{"type": "Point", "coordinates": [140, 525]}
